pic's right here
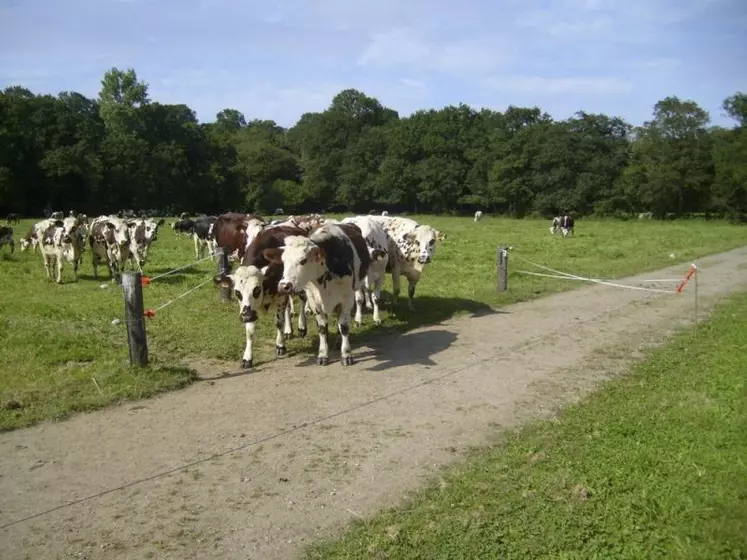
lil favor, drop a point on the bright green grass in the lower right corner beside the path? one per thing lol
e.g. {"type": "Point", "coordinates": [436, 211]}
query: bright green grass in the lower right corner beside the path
{"type": "Point", "coordinates": [651, 466]}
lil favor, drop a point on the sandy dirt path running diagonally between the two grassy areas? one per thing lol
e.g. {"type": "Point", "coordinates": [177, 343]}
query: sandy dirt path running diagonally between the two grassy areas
{"type": "Point", "coordinates": [319, 446]}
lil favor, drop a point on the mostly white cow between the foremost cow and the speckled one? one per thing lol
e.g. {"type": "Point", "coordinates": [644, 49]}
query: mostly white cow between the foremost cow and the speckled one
{"type": "Point", "coordinates": [378, 248]}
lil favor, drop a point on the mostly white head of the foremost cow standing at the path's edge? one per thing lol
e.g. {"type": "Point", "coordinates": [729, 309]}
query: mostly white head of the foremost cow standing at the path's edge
{"type": "Point", "coordinates": [302, 260]}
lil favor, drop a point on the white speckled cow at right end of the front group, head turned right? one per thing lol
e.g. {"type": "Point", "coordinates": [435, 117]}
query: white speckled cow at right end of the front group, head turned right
{"type": "Point", "coordinates": [411, 247]}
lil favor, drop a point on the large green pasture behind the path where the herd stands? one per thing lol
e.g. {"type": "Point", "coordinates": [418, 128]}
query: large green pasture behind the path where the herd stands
{"type": "Point", "coordinates": [61, 352]}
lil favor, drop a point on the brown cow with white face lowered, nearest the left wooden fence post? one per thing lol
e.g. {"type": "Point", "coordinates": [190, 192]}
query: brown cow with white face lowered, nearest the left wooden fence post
{"type": "Point", "coordinates": [255, 284]}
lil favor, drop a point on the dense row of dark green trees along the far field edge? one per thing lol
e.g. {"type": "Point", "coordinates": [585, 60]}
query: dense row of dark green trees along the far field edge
{"type": "Point", "coordinates": [123, 150]}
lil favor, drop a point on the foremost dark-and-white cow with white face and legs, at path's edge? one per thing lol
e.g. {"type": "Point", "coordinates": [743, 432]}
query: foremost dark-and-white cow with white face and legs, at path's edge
{"type": "Point", "coordinates": [329, 265]}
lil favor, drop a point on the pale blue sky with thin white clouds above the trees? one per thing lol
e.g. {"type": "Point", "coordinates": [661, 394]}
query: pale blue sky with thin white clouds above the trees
{"type": "Point", "coordinates": [279, 59]}
